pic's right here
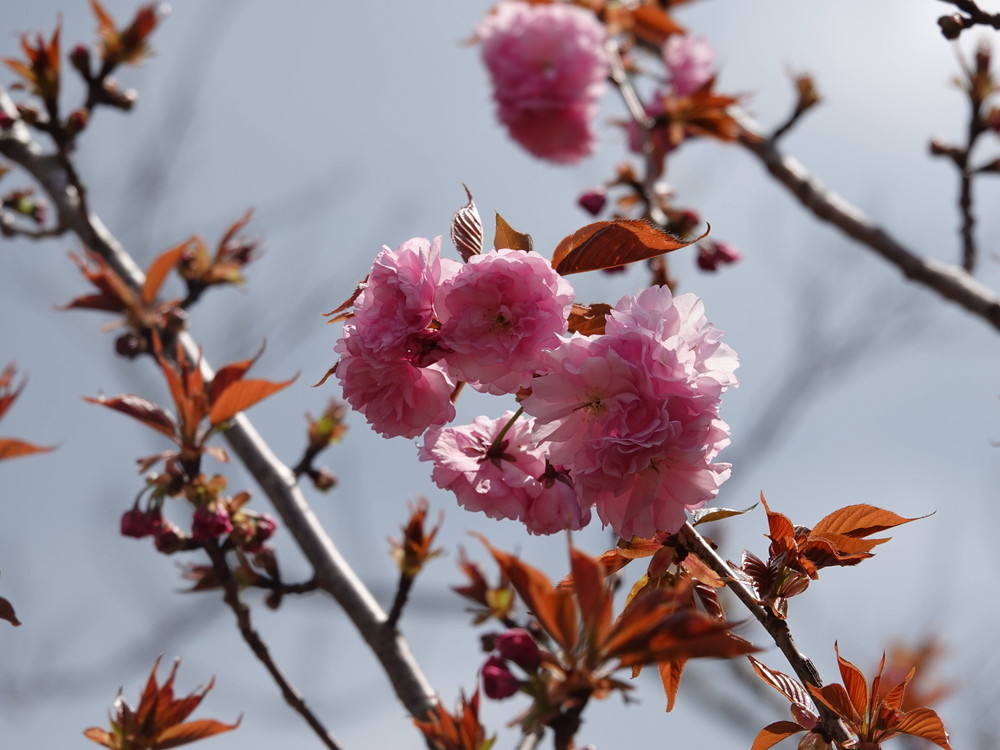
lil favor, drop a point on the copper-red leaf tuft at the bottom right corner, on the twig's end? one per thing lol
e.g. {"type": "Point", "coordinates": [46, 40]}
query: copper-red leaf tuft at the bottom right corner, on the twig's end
{"type": "Point", "coordinates": [872, 714]}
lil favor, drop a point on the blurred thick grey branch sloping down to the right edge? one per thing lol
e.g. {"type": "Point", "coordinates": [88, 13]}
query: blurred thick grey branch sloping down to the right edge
{"type": "Point", "coordinates": [951, 282]}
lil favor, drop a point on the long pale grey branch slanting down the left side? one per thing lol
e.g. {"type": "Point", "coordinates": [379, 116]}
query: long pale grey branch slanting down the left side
{"type": "Point", "coordinates": [332, 572]}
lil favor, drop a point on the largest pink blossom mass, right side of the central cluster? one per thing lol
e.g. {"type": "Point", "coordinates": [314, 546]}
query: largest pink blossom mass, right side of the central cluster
{"type": "Point", "coordinates": [633, 414]}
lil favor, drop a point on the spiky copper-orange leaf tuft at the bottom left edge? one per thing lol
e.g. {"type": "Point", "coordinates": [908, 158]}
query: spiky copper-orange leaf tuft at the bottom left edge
{"type": "Point", "coordinates": [158, 723]}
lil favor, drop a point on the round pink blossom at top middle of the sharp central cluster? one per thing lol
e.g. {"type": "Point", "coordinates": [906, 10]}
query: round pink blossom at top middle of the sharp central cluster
{"type": "Point", "coordinates": [498, 314]}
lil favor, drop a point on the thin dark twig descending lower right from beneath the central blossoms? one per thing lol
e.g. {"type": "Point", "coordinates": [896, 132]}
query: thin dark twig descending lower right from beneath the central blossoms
{"type": "Point", "coordinates": [775, 627]}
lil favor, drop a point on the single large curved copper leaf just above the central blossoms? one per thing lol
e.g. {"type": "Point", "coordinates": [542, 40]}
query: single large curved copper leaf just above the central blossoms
{"type": "Point", "coordinates": [605, 244]}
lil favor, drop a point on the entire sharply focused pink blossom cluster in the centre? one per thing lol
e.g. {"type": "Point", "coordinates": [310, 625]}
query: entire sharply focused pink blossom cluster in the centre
{"type": "Point", "coordinates": [625, 422]}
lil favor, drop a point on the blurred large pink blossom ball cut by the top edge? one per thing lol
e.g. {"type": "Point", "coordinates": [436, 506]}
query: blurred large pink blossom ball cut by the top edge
{"type": "Point", "coordinates": [548, 66]}
